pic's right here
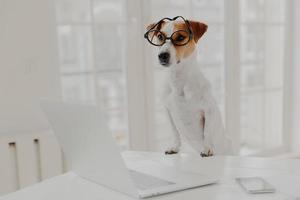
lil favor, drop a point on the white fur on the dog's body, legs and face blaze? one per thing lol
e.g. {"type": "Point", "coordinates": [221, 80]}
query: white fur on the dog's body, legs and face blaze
{"type": "Point", "coordinates": [187, 97]}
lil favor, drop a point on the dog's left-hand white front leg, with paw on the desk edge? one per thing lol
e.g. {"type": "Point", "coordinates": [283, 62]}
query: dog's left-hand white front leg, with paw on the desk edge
{"type": "Point", "coordinates": [175, 143]}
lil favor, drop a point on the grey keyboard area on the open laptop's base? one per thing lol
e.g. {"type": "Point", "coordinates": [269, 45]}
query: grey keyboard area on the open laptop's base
{"type": "Point", "coordinates": [145, 181]}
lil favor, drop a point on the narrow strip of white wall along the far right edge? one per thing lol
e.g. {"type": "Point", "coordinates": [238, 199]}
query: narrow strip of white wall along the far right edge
{"type": "Point", "coordinates": [296, 79]}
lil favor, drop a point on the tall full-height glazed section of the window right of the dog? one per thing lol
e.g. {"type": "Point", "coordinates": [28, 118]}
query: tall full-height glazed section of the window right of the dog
{"type": "Point", "coordinates": [262, 68]}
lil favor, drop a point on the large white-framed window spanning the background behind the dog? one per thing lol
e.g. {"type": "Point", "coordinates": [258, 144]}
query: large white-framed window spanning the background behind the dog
{"type": "Point", "coordinates": [104, 60]}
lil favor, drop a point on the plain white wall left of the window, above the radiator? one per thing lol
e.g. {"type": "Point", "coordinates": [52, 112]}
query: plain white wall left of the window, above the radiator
{"type": "Point", "coordinates": [28, 63]}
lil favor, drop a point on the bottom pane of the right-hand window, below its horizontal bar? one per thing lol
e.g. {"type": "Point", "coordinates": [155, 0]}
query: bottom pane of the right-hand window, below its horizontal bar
{"type": "Point", "coordinates": [261, 120]}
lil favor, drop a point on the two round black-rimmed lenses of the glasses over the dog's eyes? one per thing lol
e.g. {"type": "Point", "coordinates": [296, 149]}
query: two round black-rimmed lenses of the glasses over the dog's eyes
{"type": "Point", "coordinates": [158, 38]}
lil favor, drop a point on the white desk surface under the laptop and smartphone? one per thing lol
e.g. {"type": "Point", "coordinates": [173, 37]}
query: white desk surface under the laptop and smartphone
{"type": "Point", "coordinates": [282, 173]}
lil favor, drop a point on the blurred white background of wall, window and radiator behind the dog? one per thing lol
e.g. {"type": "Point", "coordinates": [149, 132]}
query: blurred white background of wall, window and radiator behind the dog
{"type": "Point", "coordinates": [93, 51]}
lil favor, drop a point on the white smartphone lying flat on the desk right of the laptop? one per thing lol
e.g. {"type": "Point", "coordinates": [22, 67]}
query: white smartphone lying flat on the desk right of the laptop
{"type": "Point", "coordinates": [255, 185]}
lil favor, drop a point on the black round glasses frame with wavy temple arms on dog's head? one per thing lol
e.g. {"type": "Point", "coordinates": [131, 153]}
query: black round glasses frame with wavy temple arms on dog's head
{"type": "Point", "coordinates": [170, 38]}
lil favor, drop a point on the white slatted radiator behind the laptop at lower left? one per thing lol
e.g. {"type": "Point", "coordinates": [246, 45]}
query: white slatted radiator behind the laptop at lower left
{"type": "Point", "coordinates": [28, 158]}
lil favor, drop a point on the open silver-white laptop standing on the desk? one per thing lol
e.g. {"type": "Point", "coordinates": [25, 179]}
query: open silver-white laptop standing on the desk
{"type": "Point", "coordinates": [92, 153]}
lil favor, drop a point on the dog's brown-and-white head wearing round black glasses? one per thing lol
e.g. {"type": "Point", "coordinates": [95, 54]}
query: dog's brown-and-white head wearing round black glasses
{"type": "Point", "coordinates": [176, 40]}
